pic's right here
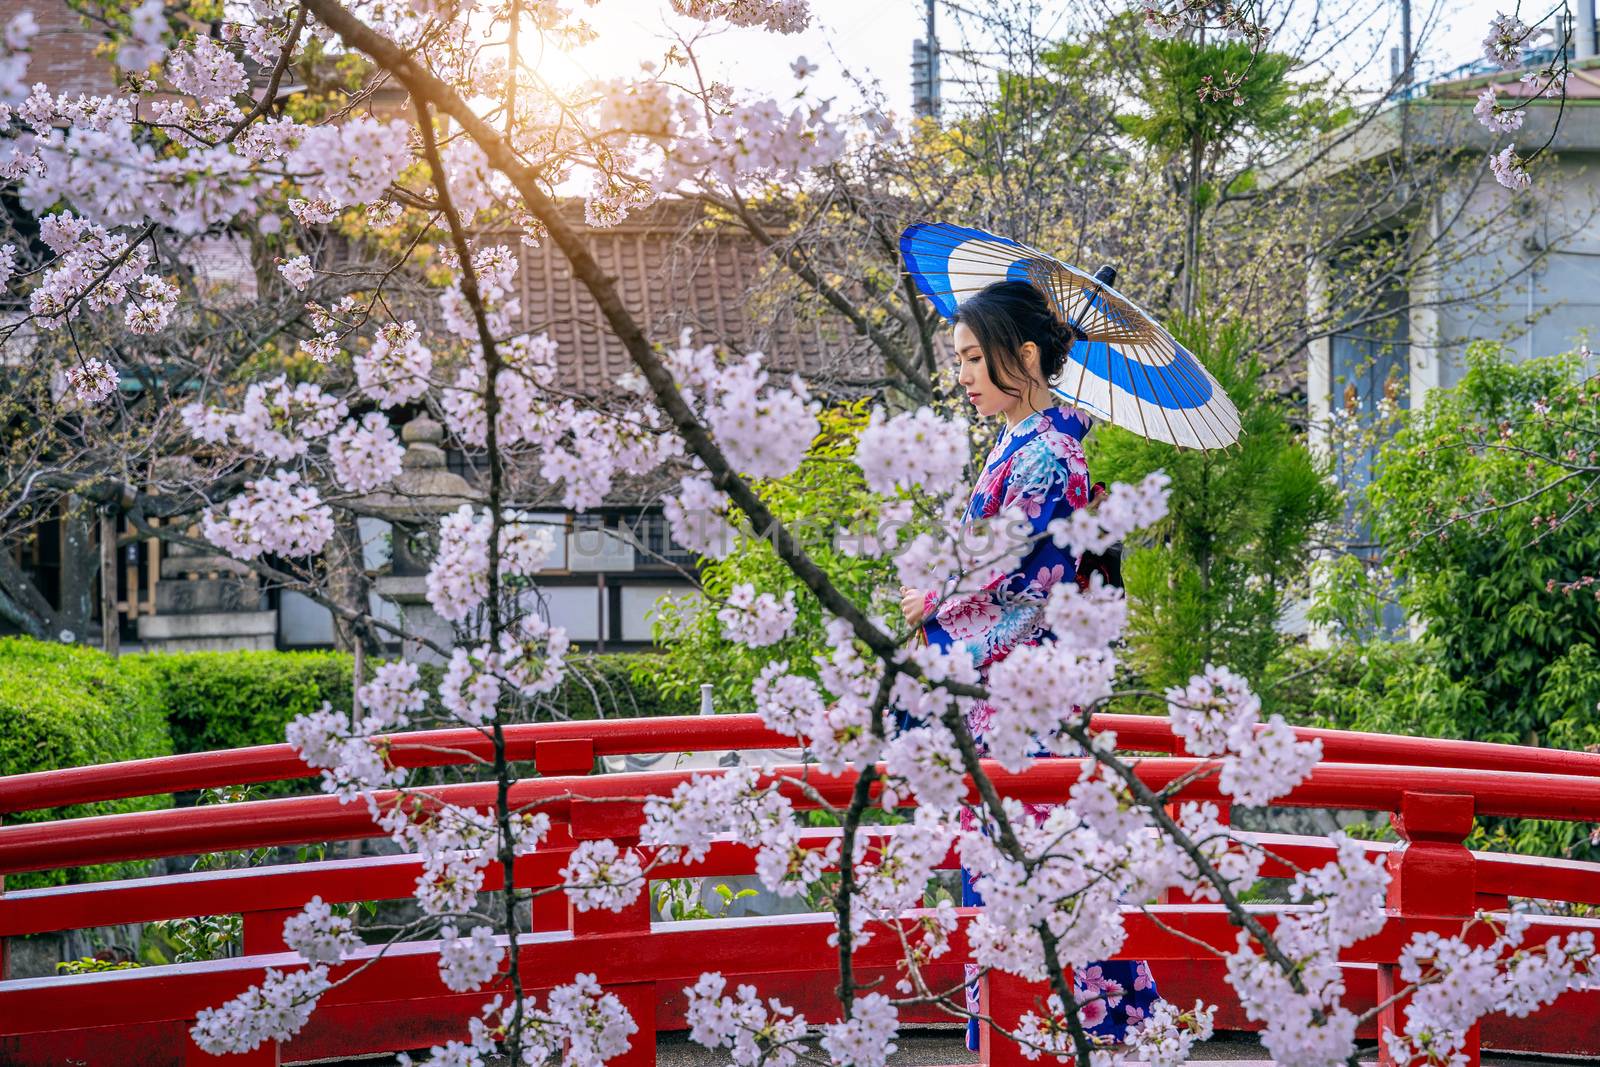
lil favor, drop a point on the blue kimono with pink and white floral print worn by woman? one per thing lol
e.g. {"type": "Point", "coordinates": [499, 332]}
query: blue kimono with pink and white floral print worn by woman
{"type": "Point", "coordinates": [1039, 468]}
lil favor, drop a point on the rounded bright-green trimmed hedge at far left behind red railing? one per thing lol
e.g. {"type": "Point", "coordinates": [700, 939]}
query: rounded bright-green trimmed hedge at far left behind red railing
{"type": "Point", "coordinates": [68, 706]}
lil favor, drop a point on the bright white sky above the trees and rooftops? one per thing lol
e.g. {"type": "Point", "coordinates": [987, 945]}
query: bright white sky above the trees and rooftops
{"type": "Point", "coordinates": [873, 41]}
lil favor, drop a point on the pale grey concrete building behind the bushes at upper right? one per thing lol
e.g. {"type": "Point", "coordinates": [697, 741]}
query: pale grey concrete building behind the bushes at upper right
{"type": "Point", "coordinates": [1519, 268]}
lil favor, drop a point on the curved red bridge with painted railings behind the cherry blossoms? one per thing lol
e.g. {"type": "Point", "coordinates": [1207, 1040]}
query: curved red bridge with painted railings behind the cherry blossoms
{"type": "Point", "coordinates": [398, 1002]}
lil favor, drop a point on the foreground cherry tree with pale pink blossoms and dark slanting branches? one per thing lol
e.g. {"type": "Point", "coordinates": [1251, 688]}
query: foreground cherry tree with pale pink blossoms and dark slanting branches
{"type": "Point", "coordinates": [482, 135]}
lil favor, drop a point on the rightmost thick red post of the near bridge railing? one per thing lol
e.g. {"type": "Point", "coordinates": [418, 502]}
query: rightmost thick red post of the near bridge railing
{"type": "Point", "coordinates": [1431, 874]}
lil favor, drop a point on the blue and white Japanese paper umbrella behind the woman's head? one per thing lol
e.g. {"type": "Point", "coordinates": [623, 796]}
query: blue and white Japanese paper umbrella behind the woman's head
{"type": "Point", "coordinates": [1124, 367]}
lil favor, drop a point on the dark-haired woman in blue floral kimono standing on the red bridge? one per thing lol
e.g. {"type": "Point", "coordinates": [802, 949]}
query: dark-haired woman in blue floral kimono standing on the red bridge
{"type": "Point", "coordinates": [1009, 345]}
